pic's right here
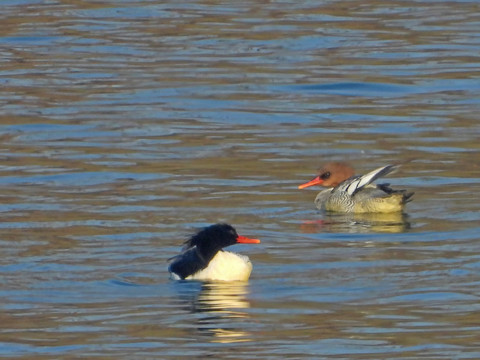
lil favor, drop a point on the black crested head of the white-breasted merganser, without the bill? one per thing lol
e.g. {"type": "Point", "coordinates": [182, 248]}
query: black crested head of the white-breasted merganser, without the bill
{"type": "Point", "coordinates": [213, 238]}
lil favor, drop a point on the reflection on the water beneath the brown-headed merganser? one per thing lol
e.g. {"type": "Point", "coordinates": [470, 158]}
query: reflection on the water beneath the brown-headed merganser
{"type": "Point", "coordinates": [359, 223]}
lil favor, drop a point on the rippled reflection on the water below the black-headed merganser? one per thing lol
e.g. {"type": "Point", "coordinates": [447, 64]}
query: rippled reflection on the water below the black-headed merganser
{"type": "Point", "coordinates": [219, 309]}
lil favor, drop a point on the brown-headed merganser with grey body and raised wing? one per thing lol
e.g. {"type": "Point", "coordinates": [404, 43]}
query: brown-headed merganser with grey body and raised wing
{"type": "Point", "coordinates": [348, 193]}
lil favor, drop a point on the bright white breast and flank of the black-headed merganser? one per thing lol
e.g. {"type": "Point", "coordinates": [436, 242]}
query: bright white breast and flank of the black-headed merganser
{"type": "Point", "coordinates": [226, 266]}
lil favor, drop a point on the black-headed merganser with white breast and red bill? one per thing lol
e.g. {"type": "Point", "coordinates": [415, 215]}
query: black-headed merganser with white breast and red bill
{"type": "Point", "coordinates": [203, 258]}
